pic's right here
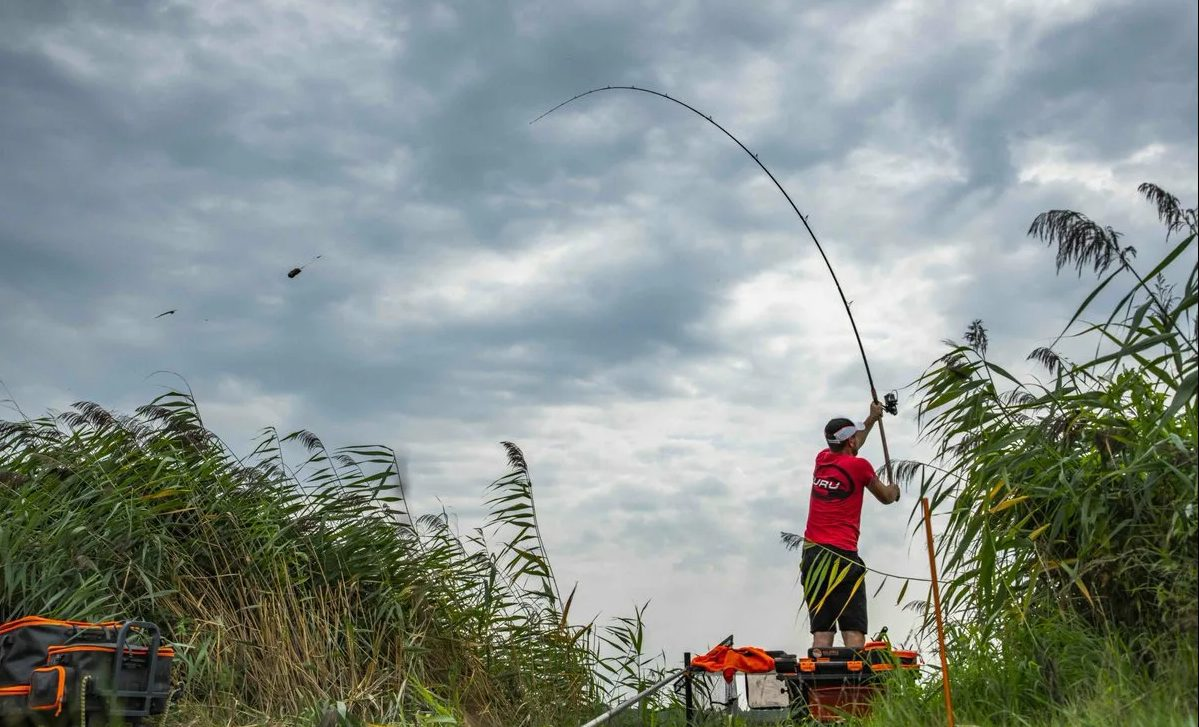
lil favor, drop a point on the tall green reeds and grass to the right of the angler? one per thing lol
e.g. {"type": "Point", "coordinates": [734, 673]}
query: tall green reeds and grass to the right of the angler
{"type": "Point", "coordinates": [1071, 540]}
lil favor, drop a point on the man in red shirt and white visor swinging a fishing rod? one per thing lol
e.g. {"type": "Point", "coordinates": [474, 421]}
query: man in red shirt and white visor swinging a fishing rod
{"type": "Point", "coordinates": [833, 572]}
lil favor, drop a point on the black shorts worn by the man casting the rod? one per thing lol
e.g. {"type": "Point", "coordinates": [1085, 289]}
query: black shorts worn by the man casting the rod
{"type": "Point", "coordinates": [834, 588]}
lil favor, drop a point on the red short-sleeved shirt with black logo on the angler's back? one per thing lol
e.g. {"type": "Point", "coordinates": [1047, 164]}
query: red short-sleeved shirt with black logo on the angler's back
{"type": "Point", "coordinates": [835, 514]}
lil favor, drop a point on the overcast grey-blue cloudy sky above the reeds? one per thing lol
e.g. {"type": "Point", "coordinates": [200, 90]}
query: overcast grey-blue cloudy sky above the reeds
{"type": "Point", "coordinates": [618, 289]}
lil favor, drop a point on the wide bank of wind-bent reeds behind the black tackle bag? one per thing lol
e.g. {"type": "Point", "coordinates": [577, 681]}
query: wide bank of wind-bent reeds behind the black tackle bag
{"type": "Point", "coordinates": [290, 587]}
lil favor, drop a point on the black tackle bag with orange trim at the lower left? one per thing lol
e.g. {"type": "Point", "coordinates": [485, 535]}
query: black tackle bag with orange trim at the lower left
{"type": "Point", "coordinates": [52, 672]}
